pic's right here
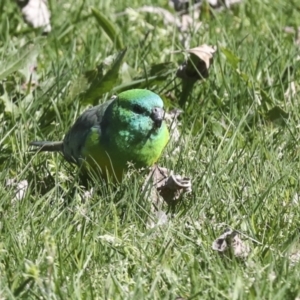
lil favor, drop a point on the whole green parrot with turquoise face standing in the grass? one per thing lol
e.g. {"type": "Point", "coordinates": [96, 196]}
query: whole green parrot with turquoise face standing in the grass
{"type": "Point", "coordinates": [128, 128]}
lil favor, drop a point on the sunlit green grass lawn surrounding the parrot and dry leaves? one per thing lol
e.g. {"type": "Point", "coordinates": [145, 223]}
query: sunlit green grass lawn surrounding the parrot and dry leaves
{"type": "Point", "coordinates": [239, 145]}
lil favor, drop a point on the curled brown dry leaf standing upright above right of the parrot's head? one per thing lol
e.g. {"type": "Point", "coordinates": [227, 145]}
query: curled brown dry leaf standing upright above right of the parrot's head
{"type": "Point", "coordinates": [197, 65]}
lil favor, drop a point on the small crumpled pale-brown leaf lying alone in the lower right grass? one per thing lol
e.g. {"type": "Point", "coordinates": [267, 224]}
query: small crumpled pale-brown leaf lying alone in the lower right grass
{"type": "Point", "coordinates": [230, 242]}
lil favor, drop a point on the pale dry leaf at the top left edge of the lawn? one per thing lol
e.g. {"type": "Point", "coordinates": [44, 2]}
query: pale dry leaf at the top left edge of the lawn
{"type": "Point", "coordinates": [36, 13]}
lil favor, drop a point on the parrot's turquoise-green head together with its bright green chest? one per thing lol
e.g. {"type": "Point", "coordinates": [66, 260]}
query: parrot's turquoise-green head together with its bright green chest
{"type": "Point", "coordinates": [135, 129]}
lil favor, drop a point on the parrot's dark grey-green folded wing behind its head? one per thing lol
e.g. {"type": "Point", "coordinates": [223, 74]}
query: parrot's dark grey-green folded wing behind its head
{"type": "Point", "coordinates": [75, 139]}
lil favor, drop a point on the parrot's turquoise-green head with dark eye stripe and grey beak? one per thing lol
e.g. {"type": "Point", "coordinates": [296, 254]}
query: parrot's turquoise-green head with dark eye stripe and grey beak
{"type": "Point", "coordinates": [140, 110]}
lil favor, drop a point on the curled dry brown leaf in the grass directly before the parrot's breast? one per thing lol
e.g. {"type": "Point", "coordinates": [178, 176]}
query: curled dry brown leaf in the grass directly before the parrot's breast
{"type": "Point", "coordinates": [167, 185]}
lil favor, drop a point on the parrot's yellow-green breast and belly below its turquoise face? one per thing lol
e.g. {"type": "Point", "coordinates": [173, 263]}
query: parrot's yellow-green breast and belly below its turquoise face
{"type": "Point", "coordinates": [112, 155]}
